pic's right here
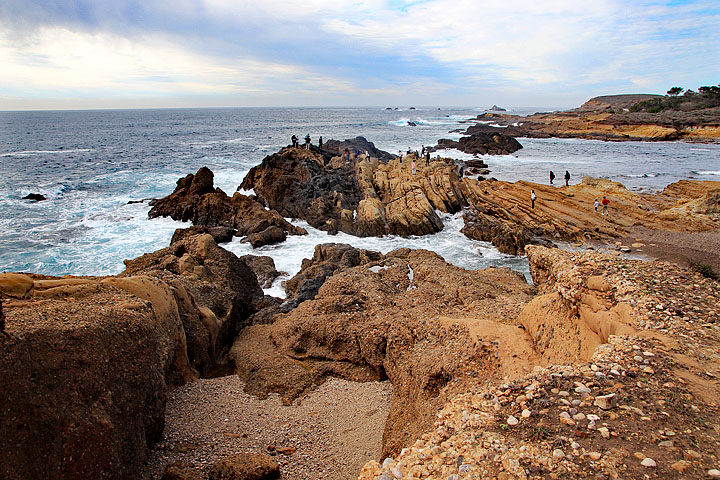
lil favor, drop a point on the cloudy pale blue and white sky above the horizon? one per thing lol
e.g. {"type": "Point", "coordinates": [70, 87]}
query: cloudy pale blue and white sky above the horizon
{"type": "Point", "coordinates": [84, 54]}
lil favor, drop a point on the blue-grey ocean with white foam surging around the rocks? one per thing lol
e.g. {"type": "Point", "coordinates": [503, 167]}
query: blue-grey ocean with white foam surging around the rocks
{"type": "Point", "coordinates": [90, 164]}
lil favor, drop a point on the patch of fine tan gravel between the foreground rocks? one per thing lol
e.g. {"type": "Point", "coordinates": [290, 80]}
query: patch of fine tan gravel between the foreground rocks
{"type": "Point", "coordinates": [332, 432]}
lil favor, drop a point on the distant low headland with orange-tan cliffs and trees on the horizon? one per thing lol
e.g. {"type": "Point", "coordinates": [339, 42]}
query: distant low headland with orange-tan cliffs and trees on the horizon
{"type": "Point", "coordinates": [692, 116]}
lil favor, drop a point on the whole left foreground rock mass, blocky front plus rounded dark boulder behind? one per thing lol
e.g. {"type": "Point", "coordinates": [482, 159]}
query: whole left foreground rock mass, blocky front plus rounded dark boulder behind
{"type": "Point", "coordinates": [86, 362]}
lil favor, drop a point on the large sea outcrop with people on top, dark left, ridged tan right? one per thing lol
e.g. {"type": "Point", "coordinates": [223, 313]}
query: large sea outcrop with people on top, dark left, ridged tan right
{"type": "Point", "coordinates": [365, 197]}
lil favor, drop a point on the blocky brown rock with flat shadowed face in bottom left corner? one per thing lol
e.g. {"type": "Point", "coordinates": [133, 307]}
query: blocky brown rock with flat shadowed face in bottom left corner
{"type": "Point", "coordinates": [85, 371]}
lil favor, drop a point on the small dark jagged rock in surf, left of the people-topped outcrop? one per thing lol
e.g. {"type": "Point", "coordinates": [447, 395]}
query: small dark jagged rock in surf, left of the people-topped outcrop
{"type": "Point", "coordinates": [195, 200]}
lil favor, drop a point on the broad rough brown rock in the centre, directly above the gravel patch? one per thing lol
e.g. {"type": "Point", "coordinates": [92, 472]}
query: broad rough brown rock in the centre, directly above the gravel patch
{"type": "Point", "coordinates": [387, 317]}
